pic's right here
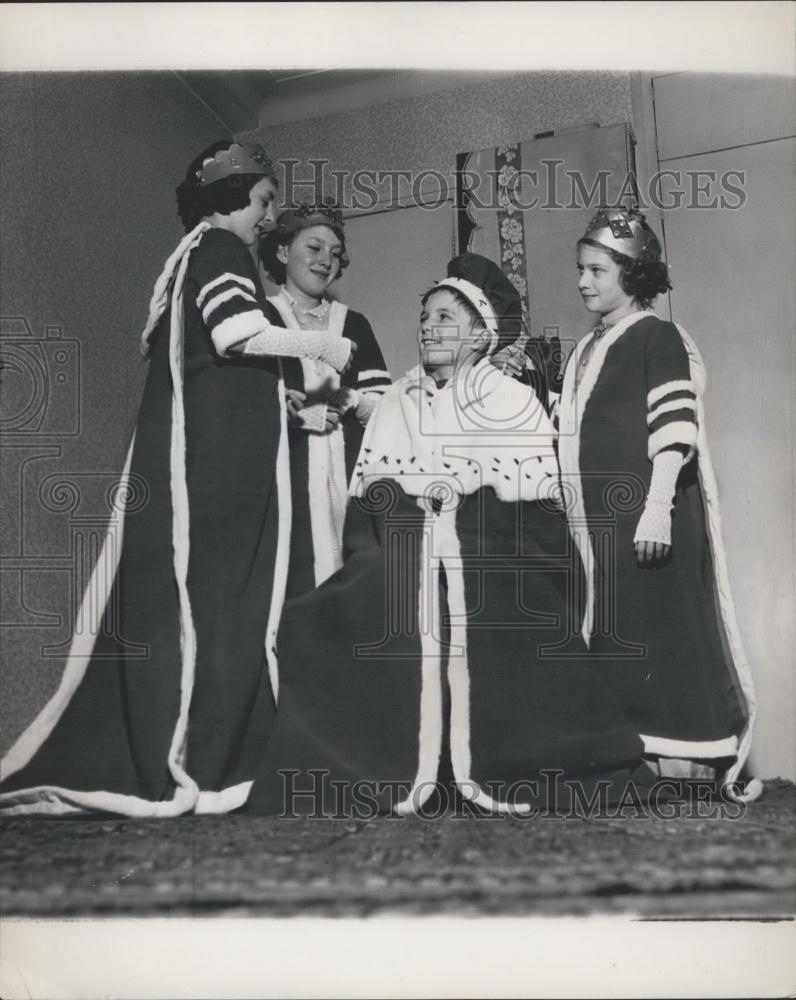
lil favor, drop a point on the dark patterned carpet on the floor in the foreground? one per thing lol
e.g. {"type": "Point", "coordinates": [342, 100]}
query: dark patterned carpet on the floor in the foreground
{"type": "Point", "coordinates": [650, 866]}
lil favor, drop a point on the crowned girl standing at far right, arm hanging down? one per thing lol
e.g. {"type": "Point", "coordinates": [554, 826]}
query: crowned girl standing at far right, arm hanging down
{"type": "Point", "coordinates": [644, 513]}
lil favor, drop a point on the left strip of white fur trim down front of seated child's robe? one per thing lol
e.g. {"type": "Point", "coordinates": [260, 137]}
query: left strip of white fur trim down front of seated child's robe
{"type": "Point", "coordinates": [430, 728]}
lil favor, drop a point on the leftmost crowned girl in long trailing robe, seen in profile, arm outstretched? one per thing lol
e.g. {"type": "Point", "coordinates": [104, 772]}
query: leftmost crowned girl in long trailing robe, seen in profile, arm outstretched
{"type": "Point", "coordinates": [166, 704]}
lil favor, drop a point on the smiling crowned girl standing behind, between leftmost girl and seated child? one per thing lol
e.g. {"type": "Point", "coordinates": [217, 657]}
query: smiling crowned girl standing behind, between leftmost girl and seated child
{"type": "Point", "coordinates": [305, 254]}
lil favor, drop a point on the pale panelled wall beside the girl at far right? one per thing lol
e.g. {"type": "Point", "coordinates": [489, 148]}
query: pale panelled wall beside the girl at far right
{"type": "Point", "coordinates": [732, 272]}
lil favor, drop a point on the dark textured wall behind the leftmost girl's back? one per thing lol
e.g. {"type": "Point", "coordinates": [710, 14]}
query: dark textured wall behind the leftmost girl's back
{"type": "Point", "coordinates": [88, 214]}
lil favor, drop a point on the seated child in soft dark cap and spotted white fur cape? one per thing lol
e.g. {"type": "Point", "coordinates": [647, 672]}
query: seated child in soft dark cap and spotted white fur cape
{"type": "Point", "coordinates": [444, 642]}
